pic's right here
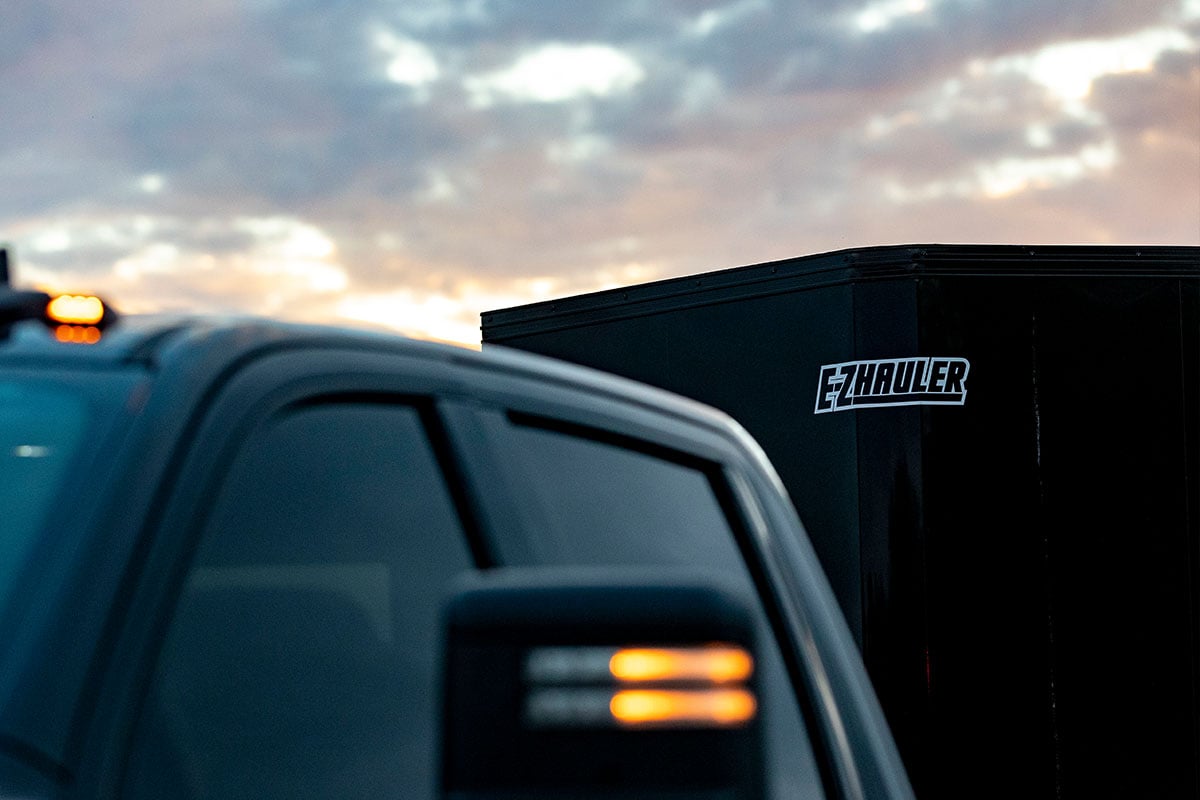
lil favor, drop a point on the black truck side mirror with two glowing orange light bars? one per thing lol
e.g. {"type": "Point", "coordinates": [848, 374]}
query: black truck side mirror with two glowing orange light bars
{"type": "Point", "coordinates": [599, 685]}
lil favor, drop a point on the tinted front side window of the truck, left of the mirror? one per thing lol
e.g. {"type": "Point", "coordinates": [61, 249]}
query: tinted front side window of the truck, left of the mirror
{"type": "Point", "coordinates": [302, 659]}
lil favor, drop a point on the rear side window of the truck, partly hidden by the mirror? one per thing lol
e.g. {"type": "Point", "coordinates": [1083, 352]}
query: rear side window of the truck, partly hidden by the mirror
{"type": "Point", "coordinates": [607, 504]}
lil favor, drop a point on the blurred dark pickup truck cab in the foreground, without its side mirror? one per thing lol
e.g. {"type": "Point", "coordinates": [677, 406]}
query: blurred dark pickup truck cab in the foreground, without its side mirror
{"type": "Point", "coordinates": [229, 549]}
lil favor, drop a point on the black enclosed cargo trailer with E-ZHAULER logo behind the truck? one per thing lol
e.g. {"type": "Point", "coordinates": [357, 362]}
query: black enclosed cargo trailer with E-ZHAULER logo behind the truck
{"type": "Point", "coordinates": [997, 452]}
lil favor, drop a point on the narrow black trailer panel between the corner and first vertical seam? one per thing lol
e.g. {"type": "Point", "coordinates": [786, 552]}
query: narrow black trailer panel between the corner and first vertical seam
{"type": "Point", "coordinates": [989, 682]}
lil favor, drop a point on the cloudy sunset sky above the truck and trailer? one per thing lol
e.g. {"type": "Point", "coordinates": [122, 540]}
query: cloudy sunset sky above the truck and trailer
{"type": "Point", "coordinates": [412, 164]}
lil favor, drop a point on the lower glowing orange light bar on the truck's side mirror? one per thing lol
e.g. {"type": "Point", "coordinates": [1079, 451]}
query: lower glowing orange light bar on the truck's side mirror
{"type": "Point", "coordinates": [722, 708]}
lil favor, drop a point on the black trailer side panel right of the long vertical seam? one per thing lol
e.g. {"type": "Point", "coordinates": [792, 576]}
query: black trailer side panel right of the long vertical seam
{"type": "Point", "coordinates": [1115, 515]}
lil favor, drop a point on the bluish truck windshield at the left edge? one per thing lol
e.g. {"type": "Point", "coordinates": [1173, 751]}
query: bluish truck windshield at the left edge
{"type": "Point", "coordinates": [64, 432]}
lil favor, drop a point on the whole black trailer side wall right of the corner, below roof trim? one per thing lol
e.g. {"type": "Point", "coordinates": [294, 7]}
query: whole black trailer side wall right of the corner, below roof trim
{"type": "Point", "coordinates": [1060, 545]}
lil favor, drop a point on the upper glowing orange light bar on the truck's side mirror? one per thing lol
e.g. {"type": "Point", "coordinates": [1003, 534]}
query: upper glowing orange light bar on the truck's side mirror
{"type": "Point", "coordinates": [713, 665]}
